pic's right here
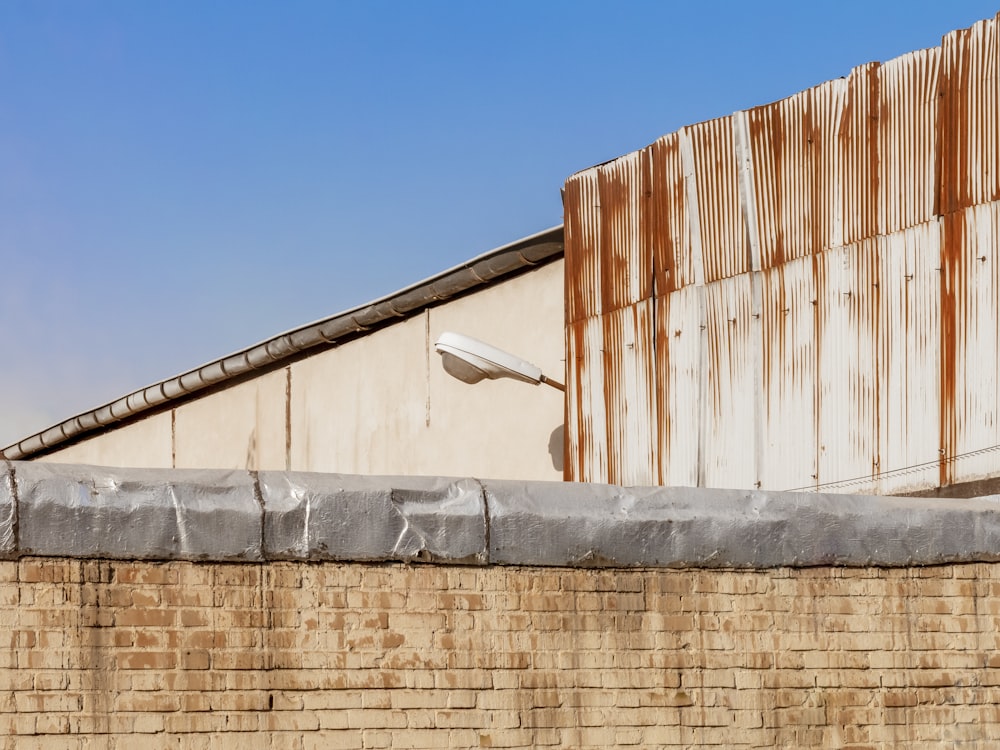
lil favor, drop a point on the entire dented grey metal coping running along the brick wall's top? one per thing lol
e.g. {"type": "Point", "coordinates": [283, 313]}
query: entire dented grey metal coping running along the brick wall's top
{"type": "Point", "coordinates": [66, 510]}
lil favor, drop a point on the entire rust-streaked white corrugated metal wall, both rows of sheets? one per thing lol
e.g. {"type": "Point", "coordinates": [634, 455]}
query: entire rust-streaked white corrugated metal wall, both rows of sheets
{"type": "Point", "coordinates": [802, 295]}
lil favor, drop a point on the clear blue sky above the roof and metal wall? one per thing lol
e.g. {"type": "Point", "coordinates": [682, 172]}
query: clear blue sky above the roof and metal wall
{"type": "Point", "coordinates": [181, 179]}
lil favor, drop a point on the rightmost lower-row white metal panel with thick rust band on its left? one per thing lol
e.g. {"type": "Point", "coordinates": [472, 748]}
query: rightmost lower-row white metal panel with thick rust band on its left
{"type": "Point", "coordinates": [970, 352]}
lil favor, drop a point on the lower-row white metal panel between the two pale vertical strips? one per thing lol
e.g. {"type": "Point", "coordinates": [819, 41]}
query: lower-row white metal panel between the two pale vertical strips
{"type": "Point", "coordinates": [729, 407]}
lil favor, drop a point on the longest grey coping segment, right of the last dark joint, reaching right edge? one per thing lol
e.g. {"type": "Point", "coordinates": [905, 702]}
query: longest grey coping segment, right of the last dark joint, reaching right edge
{"type": "Point", "coordinates": [602, 525]}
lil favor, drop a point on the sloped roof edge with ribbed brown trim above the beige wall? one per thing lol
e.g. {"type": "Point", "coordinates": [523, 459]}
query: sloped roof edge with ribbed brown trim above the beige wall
{"type": "Point", "coordinates": [483, 270]}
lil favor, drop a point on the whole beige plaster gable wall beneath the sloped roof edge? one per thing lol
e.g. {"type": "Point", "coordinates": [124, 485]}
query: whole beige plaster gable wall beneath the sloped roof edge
{"type": "Point", "coordinates": [380, 404]}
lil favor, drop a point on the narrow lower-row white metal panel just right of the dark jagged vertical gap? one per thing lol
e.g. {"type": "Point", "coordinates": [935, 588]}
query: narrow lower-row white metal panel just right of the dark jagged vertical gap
{"type": "Point", "coordinates": [678, 381]}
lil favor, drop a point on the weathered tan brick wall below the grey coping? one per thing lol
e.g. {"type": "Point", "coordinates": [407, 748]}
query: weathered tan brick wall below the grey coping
{"type": "Point", "coordinates": [107, 654]}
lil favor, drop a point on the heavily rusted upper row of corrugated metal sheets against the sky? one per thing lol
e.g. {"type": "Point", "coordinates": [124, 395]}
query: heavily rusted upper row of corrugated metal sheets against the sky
{"type": "Point", "coordinates": [853, 158]}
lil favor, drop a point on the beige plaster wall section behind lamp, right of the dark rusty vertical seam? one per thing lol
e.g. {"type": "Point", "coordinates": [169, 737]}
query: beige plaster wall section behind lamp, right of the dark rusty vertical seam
{"type": "Point", "coordinates": [384, 405]}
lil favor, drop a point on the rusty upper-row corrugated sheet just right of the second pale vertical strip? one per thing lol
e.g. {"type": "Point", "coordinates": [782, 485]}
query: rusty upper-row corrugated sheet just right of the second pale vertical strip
{"type": "Point", "coordinates": [793, 146]}
